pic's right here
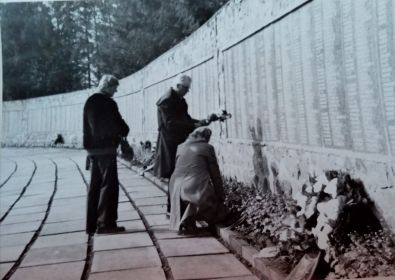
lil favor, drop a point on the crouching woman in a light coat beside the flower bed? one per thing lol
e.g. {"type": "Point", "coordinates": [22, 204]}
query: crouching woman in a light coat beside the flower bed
{"type": "Point", "coordinates": [195, 186]}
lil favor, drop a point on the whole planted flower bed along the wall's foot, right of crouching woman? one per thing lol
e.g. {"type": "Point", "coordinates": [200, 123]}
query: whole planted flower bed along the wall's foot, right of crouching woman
{"type": "Point", "coordinates": [275, 221]}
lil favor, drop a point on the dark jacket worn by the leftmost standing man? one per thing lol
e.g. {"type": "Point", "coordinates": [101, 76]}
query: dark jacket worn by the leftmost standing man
{"type": "Point", "coordinates": [103, 124]}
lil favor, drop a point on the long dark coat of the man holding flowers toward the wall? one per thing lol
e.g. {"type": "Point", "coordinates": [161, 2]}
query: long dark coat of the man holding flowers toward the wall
{"type": "Point", "coordinates": [174, 125]}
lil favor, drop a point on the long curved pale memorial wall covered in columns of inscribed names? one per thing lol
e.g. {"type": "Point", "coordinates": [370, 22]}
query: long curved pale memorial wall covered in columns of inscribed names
{"type": "Point", "coordinates": [310, 85]}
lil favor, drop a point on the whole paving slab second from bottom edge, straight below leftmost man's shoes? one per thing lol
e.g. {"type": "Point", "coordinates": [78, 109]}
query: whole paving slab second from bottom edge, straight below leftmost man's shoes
{"type": "Point", "coordinates": [125, 259]}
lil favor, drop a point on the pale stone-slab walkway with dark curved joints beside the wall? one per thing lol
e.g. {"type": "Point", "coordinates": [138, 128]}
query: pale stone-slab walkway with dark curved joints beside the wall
{"type": "Point", "coordinates": [42, 222]}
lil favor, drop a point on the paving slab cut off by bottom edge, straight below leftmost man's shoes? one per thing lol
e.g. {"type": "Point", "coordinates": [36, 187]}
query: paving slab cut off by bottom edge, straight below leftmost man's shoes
{"type": "Point", "coordinates": [150, 273]}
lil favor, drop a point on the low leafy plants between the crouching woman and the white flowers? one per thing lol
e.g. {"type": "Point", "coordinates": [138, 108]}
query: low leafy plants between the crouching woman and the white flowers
{"type": "Point", "coordinates": [264, 222]}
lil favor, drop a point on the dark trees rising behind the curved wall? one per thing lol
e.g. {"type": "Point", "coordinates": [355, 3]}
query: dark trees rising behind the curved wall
{"type": "Point", "coordinates": [62, 46]}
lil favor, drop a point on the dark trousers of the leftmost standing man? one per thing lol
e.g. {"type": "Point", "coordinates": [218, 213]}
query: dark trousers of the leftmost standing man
{"type": "Point", "coordinates": [102, 201]}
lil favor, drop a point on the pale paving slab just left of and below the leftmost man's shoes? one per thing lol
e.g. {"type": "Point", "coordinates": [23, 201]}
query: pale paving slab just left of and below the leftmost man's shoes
{"type": "Point", "coordinates": [60, 240]}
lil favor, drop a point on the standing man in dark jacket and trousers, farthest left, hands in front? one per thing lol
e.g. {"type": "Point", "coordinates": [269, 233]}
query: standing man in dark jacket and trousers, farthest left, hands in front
{"type": "Point", "coordinates": [103, 128]}
